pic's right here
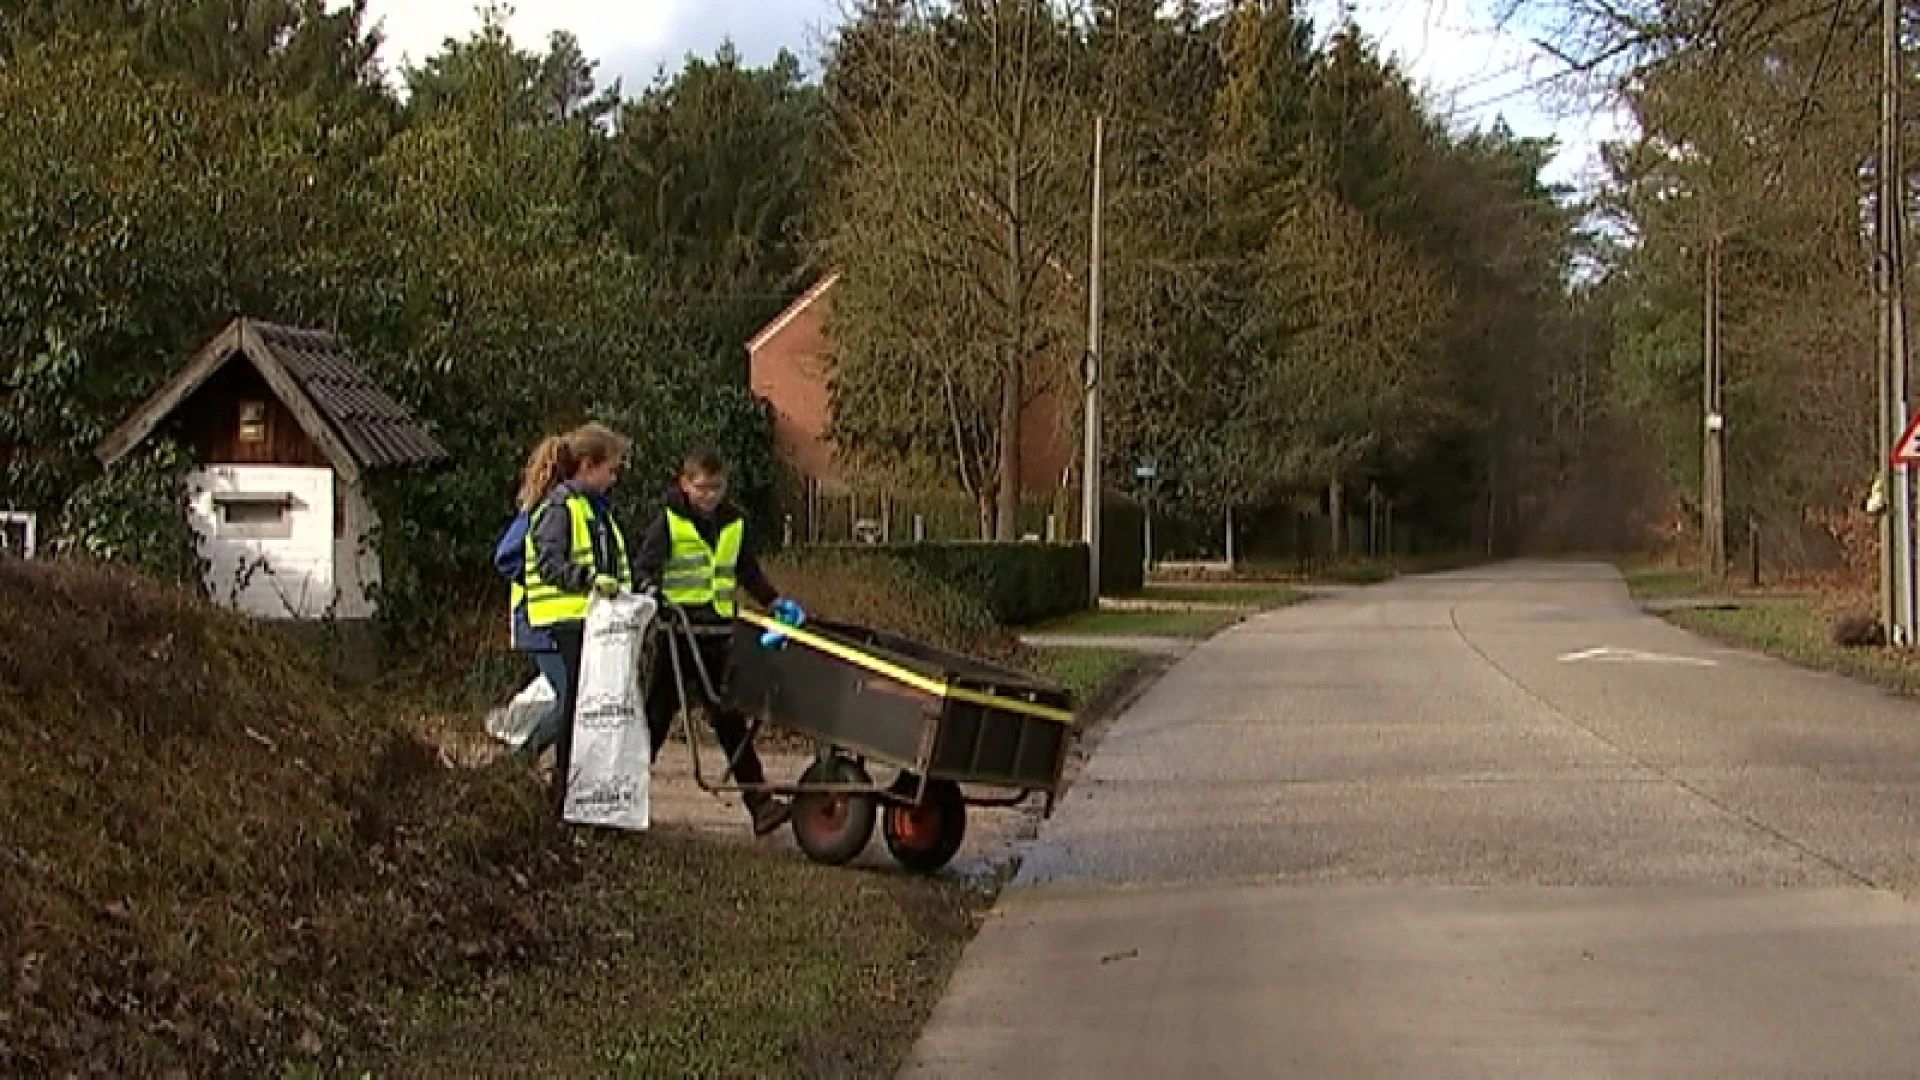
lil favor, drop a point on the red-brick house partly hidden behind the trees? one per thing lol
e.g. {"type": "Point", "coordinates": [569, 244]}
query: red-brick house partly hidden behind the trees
{"type": "Point", "coordinates": [790, 366]}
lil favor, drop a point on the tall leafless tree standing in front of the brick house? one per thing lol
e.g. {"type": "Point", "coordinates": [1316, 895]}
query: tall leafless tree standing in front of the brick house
{"type": "Point", "coordinates": [957, 207]}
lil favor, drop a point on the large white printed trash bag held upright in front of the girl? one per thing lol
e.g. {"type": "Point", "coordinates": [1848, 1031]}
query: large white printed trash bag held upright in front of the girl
{"type": "Point", "coordinates": [612, 756]}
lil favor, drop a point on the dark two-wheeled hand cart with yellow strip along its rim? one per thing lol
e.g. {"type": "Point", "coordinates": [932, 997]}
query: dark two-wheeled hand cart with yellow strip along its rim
{"type": "Point", "coordinates": [955, 733]}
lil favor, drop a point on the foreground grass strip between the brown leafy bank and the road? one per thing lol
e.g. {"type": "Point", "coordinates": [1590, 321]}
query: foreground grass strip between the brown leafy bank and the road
{"type": "Point", "coordinates": [677, 956]}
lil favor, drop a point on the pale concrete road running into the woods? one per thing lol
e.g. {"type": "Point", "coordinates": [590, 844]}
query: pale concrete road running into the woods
{"type": "Point", "coordinates": [1491, 823]}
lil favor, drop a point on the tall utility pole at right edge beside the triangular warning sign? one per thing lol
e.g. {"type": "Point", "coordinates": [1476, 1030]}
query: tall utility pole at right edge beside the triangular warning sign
{"type": "Point", "coordinates": [1898, 528]}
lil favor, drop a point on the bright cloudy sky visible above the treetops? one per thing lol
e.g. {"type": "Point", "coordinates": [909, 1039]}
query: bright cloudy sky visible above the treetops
{"type": "Point", "coordinates": [1472, 68]}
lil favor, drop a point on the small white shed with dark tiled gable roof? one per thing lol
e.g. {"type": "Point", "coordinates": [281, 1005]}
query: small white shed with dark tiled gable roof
{"type": "Point", "coordinates": [285, 430]}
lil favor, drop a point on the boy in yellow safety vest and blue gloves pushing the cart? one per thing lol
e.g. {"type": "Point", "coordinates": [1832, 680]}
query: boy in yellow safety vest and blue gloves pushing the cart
{"type": "Point", "coordinates": [700, 554]}
